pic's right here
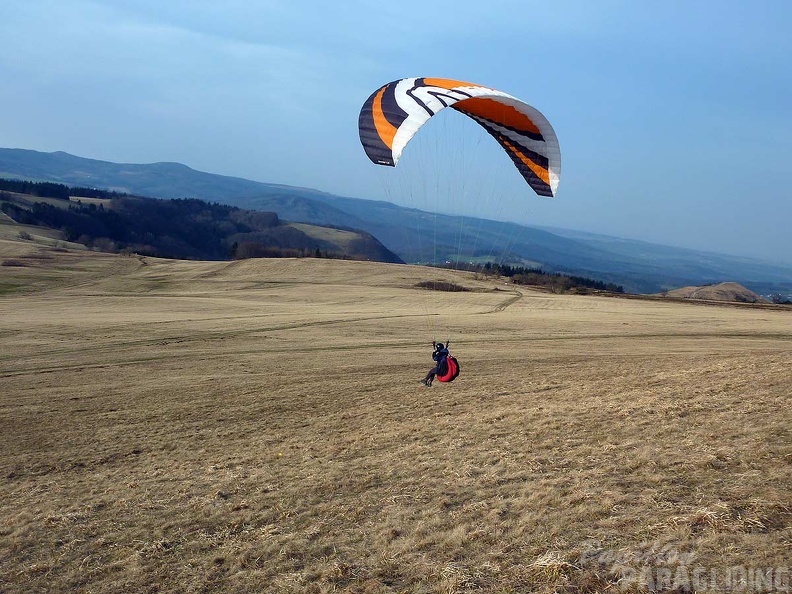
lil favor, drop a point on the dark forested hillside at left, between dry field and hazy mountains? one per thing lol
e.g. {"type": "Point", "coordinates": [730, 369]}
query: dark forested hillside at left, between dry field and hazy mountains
{"type": "Point", "coordinates": [178, 228]}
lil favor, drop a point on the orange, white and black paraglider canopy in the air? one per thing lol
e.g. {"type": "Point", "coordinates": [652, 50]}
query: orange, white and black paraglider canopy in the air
{"type": "Point", "coordinates": [395, 112]}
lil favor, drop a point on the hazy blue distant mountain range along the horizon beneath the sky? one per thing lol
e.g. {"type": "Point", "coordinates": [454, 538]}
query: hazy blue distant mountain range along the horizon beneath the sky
{"type": "Point", "coordinates": [414, 235]}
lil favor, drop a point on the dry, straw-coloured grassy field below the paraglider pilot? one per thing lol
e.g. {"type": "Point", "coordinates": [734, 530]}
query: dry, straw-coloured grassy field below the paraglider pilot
{"type": "Point", "coordinates": [258, 426]}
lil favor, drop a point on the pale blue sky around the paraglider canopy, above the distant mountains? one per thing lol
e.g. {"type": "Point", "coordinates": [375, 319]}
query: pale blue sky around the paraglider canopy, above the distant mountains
{"type": "Point", "coordinates": [674, 118]}
